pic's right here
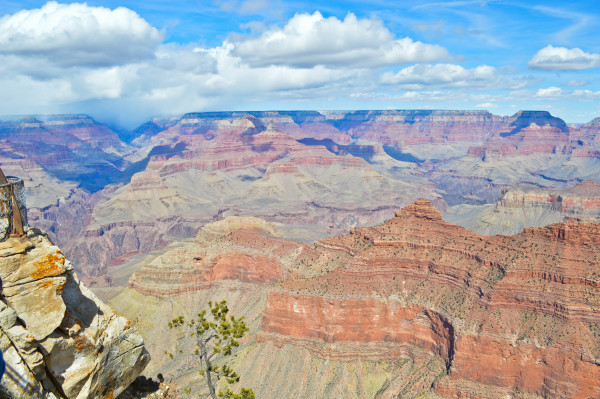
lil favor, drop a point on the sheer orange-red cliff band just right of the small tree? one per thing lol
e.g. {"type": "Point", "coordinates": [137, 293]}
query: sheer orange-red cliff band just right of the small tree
{"type": "Point", "coordinates": [358, 321]}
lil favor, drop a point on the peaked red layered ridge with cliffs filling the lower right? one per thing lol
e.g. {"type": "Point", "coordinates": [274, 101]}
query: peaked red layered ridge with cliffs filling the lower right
{"type": "Point", "coordinates": [519, 312]}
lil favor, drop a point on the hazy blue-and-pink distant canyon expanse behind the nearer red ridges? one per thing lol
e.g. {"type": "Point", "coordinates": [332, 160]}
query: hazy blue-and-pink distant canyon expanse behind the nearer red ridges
{"type": "Point", "coordinates": [316, 173]}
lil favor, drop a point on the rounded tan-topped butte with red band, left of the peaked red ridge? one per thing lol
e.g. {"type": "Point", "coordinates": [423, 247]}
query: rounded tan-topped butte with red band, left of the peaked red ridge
{"type": "Point", "coordinates": [227, 250]}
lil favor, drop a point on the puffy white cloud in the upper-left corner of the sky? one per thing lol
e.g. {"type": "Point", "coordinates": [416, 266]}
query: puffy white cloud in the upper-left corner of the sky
{"type": "Point", "coordinates": [78, 35]}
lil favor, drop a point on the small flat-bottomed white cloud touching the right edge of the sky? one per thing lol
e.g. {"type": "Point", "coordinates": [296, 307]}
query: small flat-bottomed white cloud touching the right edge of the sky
{"type": "Point", "coordinates": [552, 58]}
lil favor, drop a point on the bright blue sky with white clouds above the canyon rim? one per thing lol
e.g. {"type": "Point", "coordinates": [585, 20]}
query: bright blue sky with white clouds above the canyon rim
{"type": "Point", "coordinates": [126, 61]}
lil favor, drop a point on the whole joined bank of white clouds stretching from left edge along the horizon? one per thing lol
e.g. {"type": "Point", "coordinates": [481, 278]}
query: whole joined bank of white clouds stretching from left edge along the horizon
{"type": "Point", "coordinates": [79, 58]}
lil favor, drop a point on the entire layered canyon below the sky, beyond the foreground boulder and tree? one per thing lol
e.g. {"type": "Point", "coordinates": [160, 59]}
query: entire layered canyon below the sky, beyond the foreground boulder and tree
{"type": "Point", "coordinates": [294, 217]}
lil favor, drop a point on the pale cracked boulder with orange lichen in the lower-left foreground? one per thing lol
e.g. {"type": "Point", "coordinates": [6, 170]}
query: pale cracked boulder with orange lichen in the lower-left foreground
{"type": "Point", "coordinates": [59, 339]}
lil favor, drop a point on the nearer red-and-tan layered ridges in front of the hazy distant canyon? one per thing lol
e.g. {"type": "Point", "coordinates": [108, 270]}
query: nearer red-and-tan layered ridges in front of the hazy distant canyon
{"type": "Point", "coordinates": [425, 308]}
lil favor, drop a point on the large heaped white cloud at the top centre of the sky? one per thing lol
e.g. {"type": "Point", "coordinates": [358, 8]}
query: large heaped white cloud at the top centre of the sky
{"type": "Point", "coordinates": [308, 40]}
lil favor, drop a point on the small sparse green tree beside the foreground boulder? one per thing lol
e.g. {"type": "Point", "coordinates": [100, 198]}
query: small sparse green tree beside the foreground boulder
{"type": "Point", "coordinates": [216, 339]}
